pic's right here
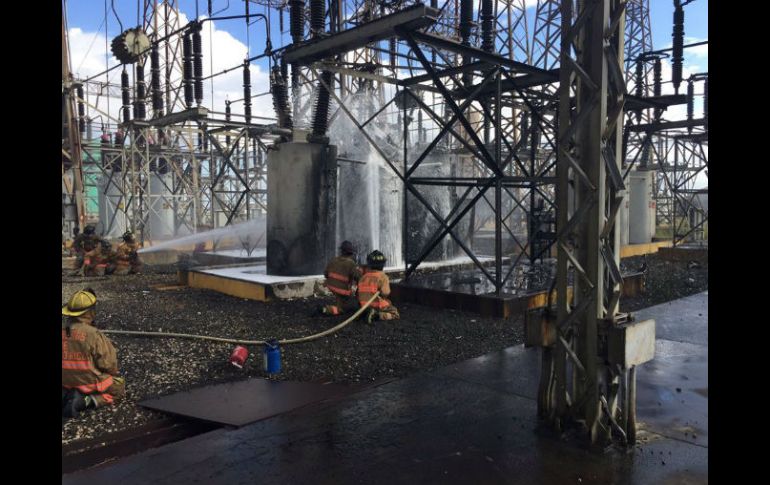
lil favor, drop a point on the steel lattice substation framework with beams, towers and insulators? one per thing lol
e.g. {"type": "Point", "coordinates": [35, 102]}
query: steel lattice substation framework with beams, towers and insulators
{"type": "Point", "coordinates": [544, 109]}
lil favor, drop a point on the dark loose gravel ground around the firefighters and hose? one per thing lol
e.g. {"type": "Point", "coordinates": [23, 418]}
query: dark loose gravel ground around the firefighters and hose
{"type": "Point", "coordinates": [425, 338]}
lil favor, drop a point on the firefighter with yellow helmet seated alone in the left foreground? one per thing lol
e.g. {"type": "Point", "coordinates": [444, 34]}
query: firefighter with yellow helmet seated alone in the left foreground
{"type": "Point", "coordinates": [89, 362]}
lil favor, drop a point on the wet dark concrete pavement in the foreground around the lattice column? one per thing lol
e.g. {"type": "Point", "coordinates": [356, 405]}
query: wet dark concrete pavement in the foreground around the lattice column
{"type": "Point", "coordinates": [471, 422]}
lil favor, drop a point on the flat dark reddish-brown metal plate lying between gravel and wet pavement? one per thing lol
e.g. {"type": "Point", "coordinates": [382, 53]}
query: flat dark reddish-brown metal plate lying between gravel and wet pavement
{"type": "Point", "coordinates": [243, 402]}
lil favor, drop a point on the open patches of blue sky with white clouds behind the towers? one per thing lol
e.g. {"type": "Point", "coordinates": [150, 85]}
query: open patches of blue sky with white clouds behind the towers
{"type": "Point", "coordinates": [86, 21]}
